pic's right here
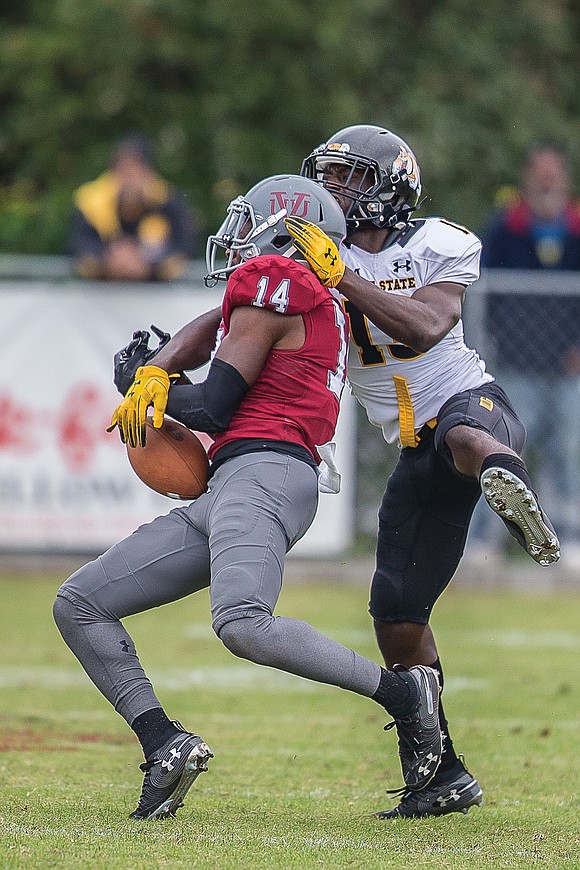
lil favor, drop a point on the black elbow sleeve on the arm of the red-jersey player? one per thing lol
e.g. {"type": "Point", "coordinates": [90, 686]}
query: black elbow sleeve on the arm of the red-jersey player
{"type": "Point", "coordinates": [209, 406]}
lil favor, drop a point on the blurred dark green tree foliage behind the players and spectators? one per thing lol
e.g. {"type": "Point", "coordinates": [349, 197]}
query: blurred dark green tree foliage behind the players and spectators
{"type": "Point", "coordinates": [232, 91]}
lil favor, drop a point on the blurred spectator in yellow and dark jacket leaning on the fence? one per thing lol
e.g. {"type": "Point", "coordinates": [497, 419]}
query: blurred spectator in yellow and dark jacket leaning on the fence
{"type": "Point", "coordinates": [129, 224]}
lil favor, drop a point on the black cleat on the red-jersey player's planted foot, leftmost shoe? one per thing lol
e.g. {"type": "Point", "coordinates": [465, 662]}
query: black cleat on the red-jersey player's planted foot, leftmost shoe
{"type": "Point", "coordinates": [169, 774]}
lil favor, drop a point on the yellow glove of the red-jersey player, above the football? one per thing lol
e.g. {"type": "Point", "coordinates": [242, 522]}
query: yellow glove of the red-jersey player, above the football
{"type": "Point", "coordinates": [150, 387]}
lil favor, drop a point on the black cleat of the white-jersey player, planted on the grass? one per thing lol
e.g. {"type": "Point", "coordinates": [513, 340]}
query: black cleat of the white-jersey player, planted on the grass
{"type": "Point", "coordinates": [455, 791]}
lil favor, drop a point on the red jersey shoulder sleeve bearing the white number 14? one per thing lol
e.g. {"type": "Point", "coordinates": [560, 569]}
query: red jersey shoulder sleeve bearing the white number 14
{"type": "Point", "coordinates": [276, 283]}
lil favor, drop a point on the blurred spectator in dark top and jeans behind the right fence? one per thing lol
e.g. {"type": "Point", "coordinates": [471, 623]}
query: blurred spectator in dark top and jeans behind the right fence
{"type": "Point", "coordinates": [536, 337]}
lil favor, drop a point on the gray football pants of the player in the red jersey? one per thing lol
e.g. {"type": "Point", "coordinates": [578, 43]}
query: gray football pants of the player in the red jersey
{"type": "Point", "coordinates": [233, 538]}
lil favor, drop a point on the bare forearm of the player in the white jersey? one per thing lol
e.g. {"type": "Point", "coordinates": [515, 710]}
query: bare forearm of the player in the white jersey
{"type": "Point", "coordinates": [402, 318]}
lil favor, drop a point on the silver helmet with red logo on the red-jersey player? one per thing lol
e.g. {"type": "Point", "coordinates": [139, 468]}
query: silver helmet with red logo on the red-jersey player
{"type": "Point", "coordinates": [254, 224]}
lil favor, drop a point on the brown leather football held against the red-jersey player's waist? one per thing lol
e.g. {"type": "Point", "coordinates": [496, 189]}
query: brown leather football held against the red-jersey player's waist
{"type": "Point", "coordinates": [173, 462]}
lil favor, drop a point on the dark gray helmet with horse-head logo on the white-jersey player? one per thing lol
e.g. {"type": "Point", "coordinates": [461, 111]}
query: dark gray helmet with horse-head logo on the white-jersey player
{"type": "Point", "coordinates": [382, 178]}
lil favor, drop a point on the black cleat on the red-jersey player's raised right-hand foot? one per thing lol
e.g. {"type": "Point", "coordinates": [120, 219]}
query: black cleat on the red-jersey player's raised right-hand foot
{"type": "Point", "coordinates": [419, 732]}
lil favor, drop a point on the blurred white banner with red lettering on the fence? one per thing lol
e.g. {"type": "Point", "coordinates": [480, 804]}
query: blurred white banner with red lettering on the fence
{"type": "Point", "coordinates": [65, 483]}
